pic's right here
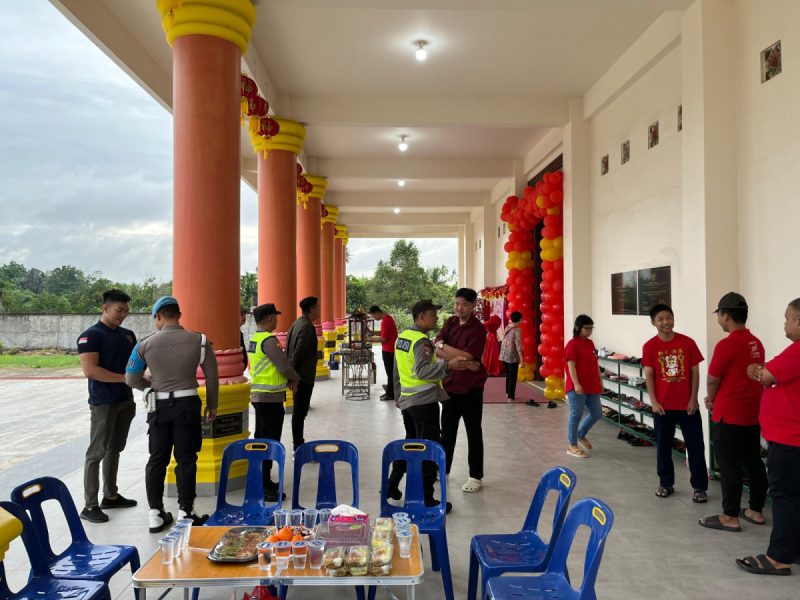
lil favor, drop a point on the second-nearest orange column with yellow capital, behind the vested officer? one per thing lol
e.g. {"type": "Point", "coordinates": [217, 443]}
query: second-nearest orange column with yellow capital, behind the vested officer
{"type": "Point", "coordinates": [277, 220]}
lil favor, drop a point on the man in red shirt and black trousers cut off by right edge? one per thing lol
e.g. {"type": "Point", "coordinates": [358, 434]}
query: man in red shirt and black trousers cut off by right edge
{"type": "Point", "coordinates": [780, 426]}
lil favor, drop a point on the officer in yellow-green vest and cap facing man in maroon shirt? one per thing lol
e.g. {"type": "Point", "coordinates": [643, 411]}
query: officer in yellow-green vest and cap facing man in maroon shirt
{"type": "Point", "coordinates": [418, 374]}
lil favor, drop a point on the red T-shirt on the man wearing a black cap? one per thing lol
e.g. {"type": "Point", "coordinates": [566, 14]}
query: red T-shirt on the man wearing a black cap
{"type": "Point", "coordinates": [738, 396]}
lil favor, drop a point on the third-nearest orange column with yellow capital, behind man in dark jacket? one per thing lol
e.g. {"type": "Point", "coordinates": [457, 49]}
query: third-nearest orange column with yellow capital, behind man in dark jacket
{"type": "Point", "coordinates": [309, 277]}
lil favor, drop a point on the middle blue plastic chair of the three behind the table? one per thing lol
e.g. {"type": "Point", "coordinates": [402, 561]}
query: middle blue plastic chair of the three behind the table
{"type": "Point", "coordinates": [326, 453]}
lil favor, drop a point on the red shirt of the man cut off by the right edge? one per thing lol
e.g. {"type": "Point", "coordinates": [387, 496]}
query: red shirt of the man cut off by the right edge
{"type": "Point", "coordinates": [780, 404]}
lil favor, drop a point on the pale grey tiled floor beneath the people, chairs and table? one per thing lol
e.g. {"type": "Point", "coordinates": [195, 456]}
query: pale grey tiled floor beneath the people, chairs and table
{"type": "Point", "coordinates": [656, 550]}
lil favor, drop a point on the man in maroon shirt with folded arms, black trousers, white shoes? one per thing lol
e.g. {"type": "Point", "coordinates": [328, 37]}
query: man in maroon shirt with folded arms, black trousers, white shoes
{"type": "Point", "coordinates": [464, 335]}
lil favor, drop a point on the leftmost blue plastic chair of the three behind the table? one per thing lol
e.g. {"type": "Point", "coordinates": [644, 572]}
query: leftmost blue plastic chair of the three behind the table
{"type": "Point", "coordinates": [254, 511]}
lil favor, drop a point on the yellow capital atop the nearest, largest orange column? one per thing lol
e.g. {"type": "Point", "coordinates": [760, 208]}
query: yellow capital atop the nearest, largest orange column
{"type": "Point", "coordinates": [230, 20]}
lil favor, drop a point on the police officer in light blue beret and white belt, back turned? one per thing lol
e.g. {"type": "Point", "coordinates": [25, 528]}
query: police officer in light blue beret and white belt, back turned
{"type": "Point", "coordinates": [174, 408]}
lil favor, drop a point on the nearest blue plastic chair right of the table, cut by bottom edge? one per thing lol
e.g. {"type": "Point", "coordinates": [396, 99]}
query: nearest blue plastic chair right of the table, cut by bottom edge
{"type": "Point", "coordinates": [594, 514]}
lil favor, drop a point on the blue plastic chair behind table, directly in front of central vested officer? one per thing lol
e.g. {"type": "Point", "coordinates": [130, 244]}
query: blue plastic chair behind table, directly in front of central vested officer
{"type": "Point", "coordinates": [429, 519]}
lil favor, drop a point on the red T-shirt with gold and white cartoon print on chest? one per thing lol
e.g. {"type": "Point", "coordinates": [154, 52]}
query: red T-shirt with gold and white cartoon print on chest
{"type": "Point", "coordinates": [672, 362]}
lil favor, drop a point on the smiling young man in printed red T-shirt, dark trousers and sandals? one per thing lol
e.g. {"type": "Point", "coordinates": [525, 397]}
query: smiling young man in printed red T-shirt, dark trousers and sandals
{"type": "Point", "coordinates": [672, 373]}
